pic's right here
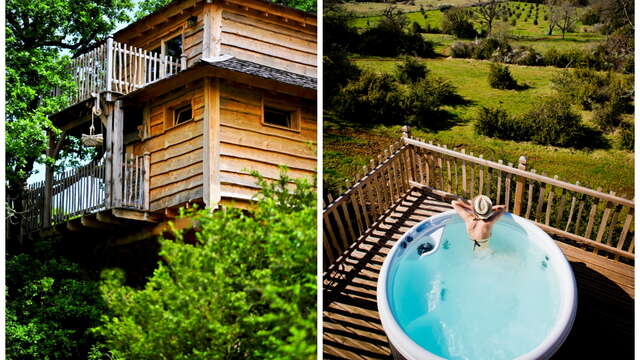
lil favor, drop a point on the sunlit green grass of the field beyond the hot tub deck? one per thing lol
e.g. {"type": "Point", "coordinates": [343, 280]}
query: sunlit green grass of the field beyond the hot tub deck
{"type": "Point", "coordinates": [347, 149]}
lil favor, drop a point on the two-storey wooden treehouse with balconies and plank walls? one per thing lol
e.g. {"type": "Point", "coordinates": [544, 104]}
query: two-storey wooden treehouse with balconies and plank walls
{"type": "Point", "coordinates": [189, 100]}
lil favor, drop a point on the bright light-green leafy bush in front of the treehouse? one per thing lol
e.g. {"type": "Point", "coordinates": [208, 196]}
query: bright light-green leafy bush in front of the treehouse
{"type": "Point", "coordinates": [245, 290]}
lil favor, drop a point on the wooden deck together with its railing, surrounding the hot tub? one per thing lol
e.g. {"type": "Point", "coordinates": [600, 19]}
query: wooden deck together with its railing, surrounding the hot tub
{"type": "Point", "coordinates": [414, 180]}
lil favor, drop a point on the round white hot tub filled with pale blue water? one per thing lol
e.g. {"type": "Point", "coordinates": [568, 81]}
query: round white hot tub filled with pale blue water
{"type": "Point", "coordinates": [438, 297]}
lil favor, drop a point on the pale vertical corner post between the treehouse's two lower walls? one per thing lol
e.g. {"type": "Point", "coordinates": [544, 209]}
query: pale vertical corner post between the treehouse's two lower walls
{"type": "Point", "coordinates": [211, 131]}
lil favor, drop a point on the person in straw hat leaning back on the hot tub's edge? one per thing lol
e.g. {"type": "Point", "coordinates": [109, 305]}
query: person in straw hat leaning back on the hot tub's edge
{"type": "Point", "coordinates": [479, 215]}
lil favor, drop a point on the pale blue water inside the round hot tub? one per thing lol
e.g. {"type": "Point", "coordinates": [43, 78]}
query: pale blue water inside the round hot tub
{"type": "Point", "coordinates": [463, 304]}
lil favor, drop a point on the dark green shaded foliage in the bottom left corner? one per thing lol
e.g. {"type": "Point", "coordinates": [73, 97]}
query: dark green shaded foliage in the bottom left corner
{"type": "Point", "coordinates": [50, 309]}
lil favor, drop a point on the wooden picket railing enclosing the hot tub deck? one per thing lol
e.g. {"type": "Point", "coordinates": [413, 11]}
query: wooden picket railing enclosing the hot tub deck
{"type": "Point", "coordinates": [591, 219]}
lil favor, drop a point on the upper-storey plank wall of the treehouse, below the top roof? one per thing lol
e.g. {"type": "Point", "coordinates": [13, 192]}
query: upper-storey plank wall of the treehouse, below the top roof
{"type": "Point", "coordinates": [268, 41]}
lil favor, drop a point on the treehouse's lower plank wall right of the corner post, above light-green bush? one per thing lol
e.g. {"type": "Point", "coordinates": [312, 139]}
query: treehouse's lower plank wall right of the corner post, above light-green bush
{"type": "Point", "coordinates": [247, 144]}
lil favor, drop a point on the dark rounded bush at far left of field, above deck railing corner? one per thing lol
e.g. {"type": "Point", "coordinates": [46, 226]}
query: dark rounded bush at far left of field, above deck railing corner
{"type": "Point", "coordinates": [372, 99]}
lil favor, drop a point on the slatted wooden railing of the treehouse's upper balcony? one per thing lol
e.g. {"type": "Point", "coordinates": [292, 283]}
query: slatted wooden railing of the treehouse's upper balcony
{"type": "Point", "coordinates": [121, 68]}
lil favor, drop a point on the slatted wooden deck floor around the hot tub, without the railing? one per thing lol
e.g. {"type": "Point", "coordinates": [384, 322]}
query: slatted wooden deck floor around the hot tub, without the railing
{"type": "Point", "coordinates": [603, 327]}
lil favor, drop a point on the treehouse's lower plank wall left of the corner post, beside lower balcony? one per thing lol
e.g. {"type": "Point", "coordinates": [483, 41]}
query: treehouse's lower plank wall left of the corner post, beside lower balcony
{"type": "Point", "coordinates": [176, 151]}
